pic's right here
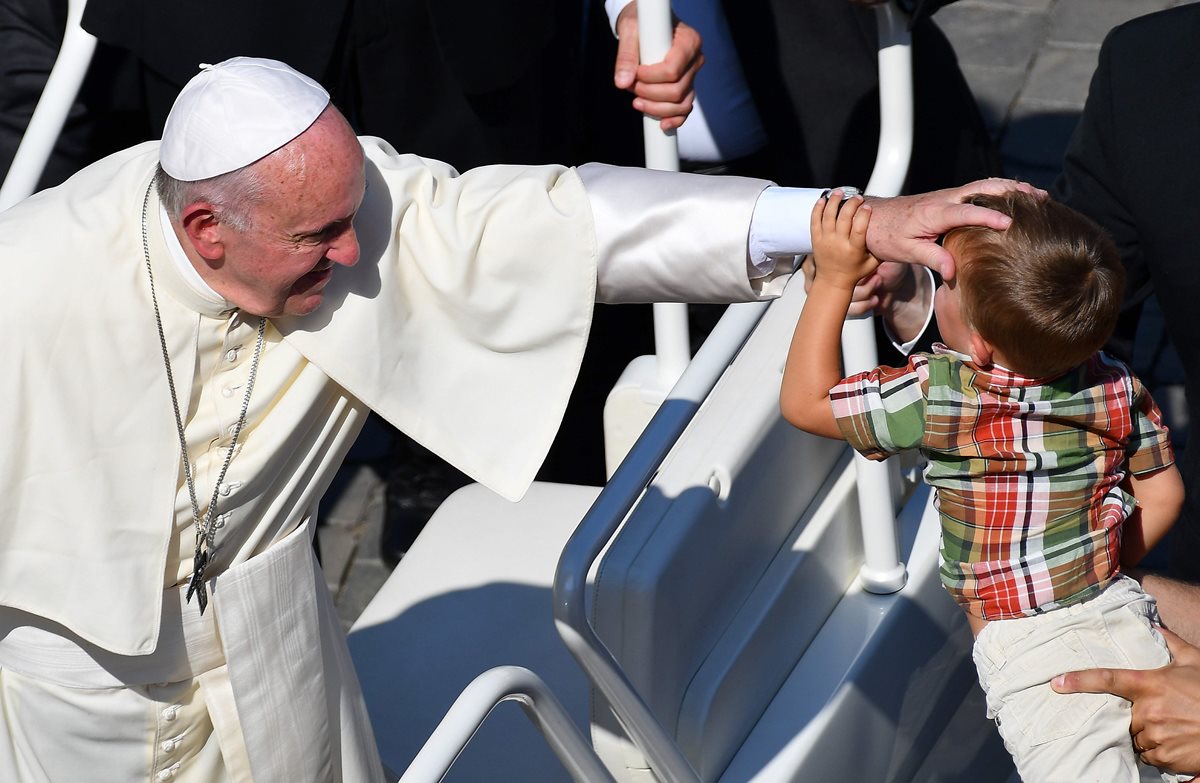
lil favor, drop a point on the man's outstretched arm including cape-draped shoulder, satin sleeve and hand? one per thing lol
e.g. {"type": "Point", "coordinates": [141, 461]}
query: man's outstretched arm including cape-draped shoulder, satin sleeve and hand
{"type": "Point", "coordinates": [472, 301]}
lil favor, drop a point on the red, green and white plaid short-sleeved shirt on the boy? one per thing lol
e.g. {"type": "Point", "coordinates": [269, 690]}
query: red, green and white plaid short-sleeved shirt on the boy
{"type": "Point", "coordinates": [1027, 470]}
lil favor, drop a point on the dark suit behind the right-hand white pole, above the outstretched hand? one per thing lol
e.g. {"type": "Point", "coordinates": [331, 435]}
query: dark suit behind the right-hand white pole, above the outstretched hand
{"type": "Point", "coordinates": [813, 70]}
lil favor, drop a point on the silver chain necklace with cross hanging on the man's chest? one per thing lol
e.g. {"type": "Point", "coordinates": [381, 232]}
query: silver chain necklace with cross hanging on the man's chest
{"type": "Point", "coordinates": [206, 530]}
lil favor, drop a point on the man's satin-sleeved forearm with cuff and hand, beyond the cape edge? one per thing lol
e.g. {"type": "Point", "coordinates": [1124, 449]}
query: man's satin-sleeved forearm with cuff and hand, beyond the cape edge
{"type": "Point", "coordinates": [652, 228]}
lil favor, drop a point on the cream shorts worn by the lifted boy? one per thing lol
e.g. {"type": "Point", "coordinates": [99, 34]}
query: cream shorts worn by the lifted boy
{"type": "Point", "coordinates": [1082, 737]}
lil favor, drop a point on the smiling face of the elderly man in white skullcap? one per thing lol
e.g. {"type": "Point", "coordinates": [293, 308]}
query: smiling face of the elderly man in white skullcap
{"type": "Point", "coordinates": [302, 230]}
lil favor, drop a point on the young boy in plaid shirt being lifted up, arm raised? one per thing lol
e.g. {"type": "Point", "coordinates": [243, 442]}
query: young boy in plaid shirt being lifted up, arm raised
{"type": "Point", "coordinates": [1051, 462]}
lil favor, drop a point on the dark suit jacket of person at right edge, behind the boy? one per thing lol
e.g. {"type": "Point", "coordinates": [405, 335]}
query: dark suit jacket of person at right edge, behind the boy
{"type": "Point", "coordinates": [1132, 166]}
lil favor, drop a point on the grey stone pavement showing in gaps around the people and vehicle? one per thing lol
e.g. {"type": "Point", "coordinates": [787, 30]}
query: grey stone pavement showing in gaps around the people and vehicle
{"type": "Point", "coordinates": [1029, 63]}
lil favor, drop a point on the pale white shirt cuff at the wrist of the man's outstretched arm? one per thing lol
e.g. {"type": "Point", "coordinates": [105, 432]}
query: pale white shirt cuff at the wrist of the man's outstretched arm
{"type": "Point", "coordinates": [779, 228]}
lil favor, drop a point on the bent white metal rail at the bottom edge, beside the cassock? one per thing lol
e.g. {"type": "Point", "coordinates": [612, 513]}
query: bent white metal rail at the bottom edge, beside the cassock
{"type": "Point", "coordinates": [477, 702]}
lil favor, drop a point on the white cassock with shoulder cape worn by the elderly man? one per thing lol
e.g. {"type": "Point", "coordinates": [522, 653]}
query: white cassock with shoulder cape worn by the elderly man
{"type": "Point", "coordinates": [464, 325]}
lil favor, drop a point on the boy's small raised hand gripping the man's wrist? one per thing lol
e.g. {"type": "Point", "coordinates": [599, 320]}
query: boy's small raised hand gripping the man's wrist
{"type": "Point", "coordinates": [839, 241]}
